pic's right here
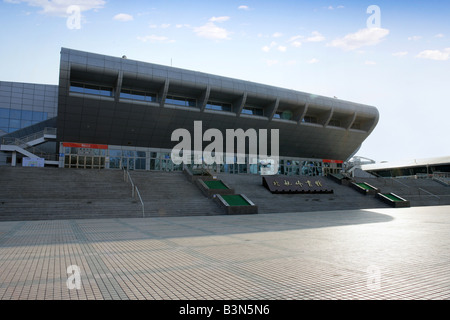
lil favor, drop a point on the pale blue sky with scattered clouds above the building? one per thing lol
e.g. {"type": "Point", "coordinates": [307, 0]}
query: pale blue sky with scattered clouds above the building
{"type": "Point", "coordinates": [401, 65]}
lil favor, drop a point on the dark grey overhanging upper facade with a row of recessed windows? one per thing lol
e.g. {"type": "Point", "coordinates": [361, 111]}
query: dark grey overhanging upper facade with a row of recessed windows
{"type": "Point", "coordinates": [314, 126]}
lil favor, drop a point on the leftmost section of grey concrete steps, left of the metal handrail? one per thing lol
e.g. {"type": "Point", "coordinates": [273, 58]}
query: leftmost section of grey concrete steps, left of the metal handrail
{"type": "Point", "coordinates": [52, 193]}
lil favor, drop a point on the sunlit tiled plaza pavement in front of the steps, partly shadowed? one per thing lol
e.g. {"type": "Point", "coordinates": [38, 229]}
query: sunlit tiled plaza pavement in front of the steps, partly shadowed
{"type": "Point", "coordinates": [359, 254]}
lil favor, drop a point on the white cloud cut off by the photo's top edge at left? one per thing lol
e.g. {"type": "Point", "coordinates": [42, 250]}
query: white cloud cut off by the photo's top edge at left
{"type": "Point", "coordinates": [59, 7]}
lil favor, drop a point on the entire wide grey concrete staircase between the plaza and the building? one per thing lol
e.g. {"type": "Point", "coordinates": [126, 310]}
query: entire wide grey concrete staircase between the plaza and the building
{"type": "Point", "coordinates": [52, 193]}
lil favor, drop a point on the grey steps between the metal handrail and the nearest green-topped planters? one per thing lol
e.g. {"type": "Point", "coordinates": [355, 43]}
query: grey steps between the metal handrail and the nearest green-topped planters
{"type": "Point", "coordinates": [171, 194]}
